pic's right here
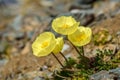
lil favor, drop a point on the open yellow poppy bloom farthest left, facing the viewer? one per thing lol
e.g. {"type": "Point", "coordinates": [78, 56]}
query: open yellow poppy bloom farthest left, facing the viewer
{"type": "Point", "coordinates": [44, 44]}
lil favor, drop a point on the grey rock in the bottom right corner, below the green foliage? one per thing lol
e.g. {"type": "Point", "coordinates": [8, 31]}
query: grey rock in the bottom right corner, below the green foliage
{"type": "Point", "coordinates": [113, 74]}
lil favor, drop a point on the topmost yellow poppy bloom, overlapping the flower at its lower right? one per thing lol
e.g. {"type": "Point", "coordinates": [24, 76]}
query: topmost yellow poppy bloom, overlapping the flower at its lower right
{"type": "Point", "coordinates": [65, 25]}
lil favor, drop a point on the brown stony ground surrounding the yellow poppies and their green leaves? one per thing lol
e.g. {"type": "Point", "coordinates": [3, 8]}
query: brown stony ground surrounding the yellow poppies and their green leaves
{"type": "Point", "coordinates": [19, 28]}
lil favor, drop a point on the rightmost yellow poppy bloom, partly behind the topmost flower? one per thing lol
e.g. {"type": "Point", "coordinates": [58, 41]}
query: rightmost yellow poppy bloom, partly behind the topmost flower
{"type": "Point", "coordinates": [81, 36]}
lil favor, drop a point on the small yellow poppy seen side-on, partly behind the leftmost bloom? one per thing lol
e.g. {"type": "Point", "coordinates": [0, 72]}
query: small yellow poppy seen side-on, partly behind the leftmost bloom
{"type": "Point", "coordinates": [59, 45]}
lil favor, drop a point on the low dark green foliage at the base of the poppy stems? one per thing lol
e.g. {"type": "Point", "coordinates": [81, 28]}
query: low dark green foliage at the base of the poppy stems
{"type": "Point", "coordinates": [86, 66]}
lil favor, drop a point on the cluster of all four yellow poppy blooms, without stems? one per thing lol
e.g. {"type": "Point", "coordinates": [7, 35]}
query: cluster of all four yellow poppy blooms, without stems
{"type": "Point", "coordinates": [46, 42]}
